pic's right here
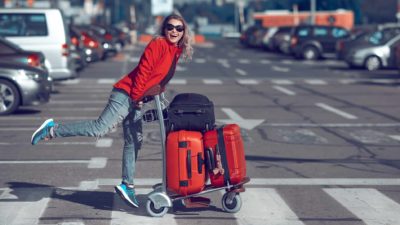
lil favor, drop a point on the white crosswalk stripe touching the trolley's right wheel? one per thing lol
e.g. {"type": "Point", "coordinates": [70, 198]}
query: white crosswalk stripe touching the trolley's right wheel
{"type": "Point", "coordinates": [265, 206]}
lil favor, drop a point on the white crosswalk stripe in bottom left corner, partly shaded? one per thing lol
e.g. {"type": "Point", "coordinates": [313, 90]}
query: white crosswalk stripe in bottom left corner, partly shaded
{"type": "Point", "coordinates": [27, 210]}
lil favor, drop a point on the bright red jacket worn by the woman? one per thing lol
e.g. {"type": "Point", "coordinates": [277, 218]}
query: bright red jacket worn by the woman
{"type": "Point", "coordinates": [153, 66]}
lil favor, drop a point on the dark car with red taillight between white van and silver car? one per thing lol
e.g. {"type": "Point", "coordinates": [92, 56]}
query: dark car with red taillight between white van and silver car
{"type": "Point", "coordinates": [11, 52]}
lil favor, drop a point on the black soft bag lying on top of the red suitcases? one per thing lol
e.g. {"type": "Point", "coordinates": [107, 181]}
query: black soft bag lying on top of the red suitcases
{"type": "Point", "coordinates": [190, 111]}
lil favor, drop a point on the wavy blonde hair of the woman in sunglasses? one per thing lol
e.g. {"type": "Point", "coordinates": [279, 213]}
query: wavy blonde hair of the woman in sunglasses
{"type": "Point", "coordinates": [186, 41]}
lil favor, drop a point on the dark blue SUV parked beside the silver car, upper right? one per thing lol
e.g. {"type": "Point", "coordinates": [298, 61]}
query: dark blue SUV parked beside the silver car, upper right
{"type": "Point", "coordinates": [316, 41]}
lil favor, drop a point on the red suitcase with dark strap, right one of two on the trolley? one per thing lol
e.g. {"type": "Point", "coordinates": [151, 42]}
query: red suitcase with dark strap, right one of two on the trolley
{"type": "Point", "coordinates": [228, 143]}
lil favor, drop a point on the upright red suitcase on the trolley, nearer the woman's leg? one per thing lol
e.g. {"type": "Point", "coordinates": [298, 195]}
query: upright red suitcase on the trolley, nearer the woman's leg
{"type": "Point", "coordinates": [185, 162]}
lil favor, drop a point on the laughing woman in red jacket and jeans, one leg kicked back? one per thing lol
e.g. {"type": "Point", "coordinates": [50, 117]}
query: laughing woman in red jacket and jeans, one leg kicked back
{"type": "Point", "coordinates": [156, 67]}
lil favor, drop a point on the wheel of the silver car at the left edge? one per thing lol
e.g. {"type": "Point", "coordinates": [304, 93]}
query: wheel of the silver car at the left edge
{"type": "Point", "coordinates": [9, 97]}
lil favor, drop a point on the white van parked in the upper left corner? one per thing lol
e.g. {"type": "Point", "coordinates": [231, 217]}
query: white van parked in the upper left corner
{"type": "Point", "coordinates": [40, 30]}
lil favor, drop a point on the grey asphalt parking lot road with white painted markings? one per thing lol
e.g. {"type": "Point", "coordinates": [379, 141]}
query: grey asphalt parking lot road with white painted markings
{"type": "Point", "coordinates": [322, 144]}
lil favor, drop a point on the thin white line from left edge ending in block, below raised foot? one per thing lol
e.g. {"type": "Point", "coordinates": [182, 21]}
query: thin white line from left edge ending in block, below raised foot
{"type": "Point", "coordinates": [93, 163]}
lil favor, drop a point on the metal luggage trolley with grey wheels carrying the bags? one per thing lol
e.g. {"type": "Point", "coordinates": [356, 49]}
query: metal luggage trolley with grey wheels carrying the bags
{"type": "Point", "coordinates": [159, 201]}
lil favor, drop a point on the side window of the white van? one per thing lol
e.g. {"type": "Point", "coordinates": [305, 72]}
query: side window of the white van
{"type": "Point", "coordinates": [14, 24]}
